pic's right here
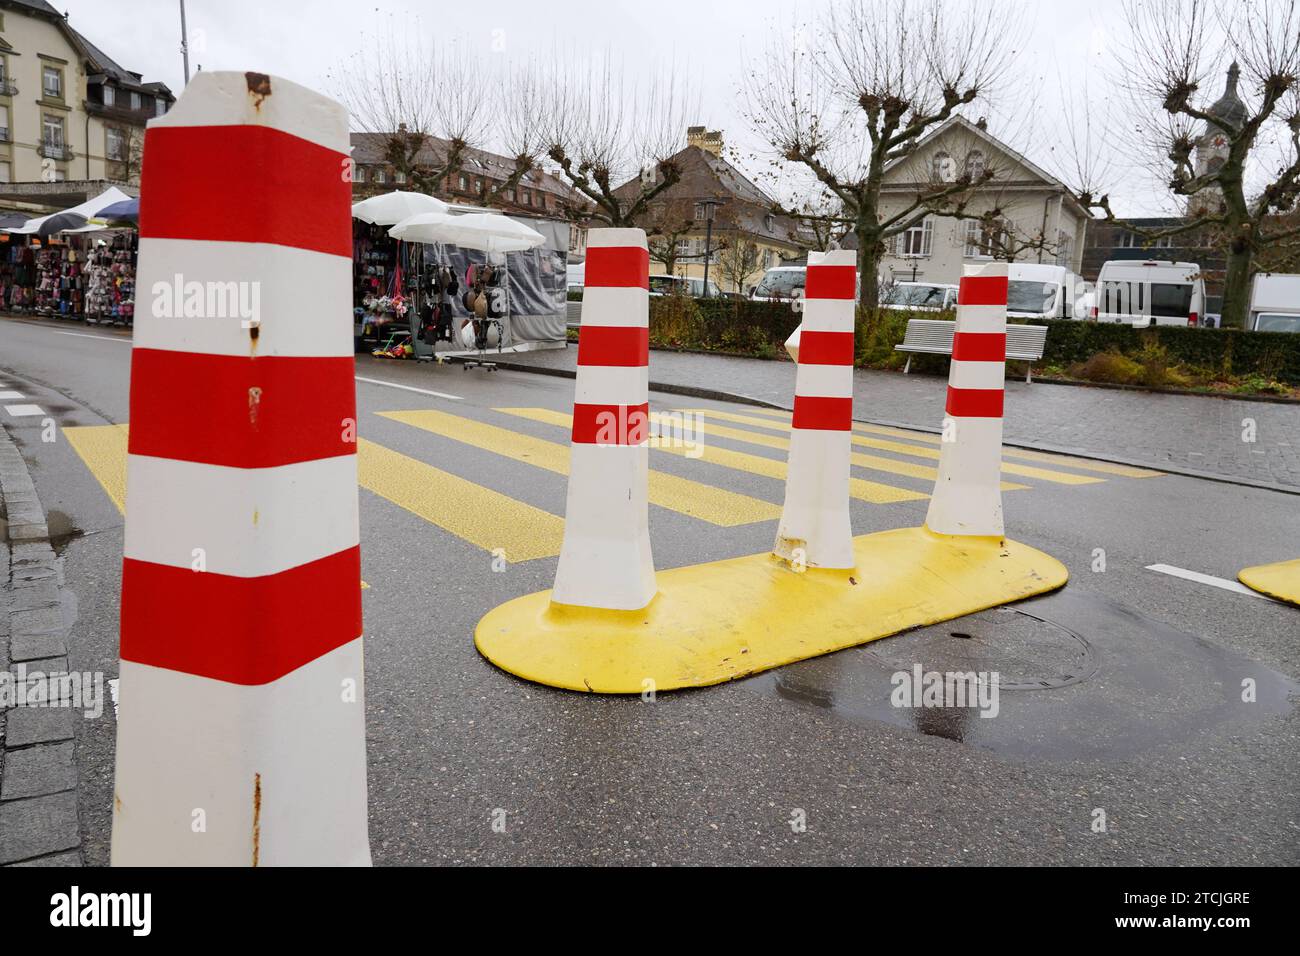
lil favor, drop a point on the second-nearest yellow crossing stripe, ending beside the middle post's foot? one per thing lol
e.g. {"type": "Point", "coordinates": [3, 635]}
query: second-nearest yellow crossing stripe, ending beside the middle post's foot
{"type": "Point", "coordinates": [692, 499]}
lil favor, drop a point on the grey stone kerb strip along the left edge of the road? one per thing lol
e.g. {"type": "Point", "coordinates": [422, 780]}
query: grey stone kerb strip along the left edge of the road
{"type": "Point", "coordinates": [40, 824]}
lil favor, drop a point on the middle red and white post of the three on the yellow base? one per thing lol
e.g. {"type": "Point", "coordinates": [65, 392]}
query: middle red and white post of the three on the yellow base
{"type": "Point", "coordinates": [816, 530]}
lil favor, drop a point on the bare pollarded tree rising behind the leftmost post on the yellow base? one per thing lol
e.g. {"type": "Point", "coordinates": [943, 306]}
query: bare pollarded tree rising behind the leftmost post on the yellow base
{"type": "Point", "coordinates": [605, 129]}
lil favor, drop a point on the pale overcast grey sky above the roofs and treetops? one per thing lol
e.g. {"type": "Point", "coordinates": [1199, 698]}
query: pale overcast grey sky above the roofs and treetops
{"type": "Point", "coordinates": [302, 41]}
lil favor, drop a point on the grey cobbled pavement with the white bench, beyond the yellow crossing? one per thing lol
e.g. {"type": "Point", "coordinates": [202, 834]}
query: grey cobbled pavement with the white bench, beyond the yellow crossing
{"type": "Point", "coordinates": [1194, 434]}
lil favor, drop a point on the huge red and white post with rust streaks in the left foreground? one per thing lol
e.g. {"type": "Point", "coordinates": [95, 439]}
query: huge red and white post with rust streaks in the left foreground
{"type": "Point", "coordinates": [241, 734]}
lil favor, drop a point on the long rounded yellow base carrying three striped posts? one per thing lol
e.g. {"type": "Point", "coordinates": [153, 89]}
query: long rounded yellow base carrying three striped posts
{"type": "Point", "coordinates": [733, 618]}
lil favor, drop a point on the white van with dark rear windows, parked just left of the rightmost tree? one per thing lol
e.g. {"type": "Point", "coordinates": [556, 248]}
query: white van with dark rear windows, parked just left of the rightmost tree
{"type": "Point", "coordinates": [1150, 293]}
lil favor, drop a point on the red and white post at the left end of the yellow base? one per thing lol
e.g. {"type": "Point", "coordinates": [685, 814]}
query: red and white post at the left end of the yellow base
{"type": "Point", "coordinates": [605, 560]}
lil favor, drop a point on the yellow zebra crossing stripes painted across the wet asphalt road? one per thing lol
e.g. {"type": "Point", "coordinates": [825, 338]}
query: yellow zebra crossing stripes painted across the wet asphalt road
{"type": "Point", "coordinates": [491, 518]}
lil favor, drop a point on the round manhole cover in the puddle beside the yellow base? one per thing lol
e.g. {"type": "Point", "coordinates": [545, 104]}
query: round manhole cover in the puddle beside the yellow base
{"type": "Point", "coordinates": [1026, 652]}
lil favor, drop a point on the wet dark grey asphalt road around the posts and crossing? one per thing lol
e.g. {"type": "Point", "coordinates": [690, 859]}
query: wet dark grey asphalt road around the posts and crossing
{"type": "Point", "coordinates": [1126, 700]}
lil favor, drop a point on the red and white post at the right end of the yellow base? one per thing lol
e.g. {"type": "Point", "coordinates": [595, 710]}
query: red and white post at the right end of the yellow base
{"type": "Point", "coordinates": [968, 498]}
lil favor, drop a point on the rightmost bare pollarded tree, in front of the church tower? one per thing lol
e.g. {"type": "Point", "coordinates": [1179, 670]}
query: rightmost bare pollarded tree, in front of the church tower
{"type": "Point", "coordinates": [1178, 54]}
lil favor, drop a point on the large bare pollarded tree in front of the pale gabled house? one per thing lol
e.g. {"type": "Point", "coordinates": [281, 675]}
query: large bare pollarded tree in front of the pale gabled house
{"type": "Point", "coordinates": [857, 96]}
